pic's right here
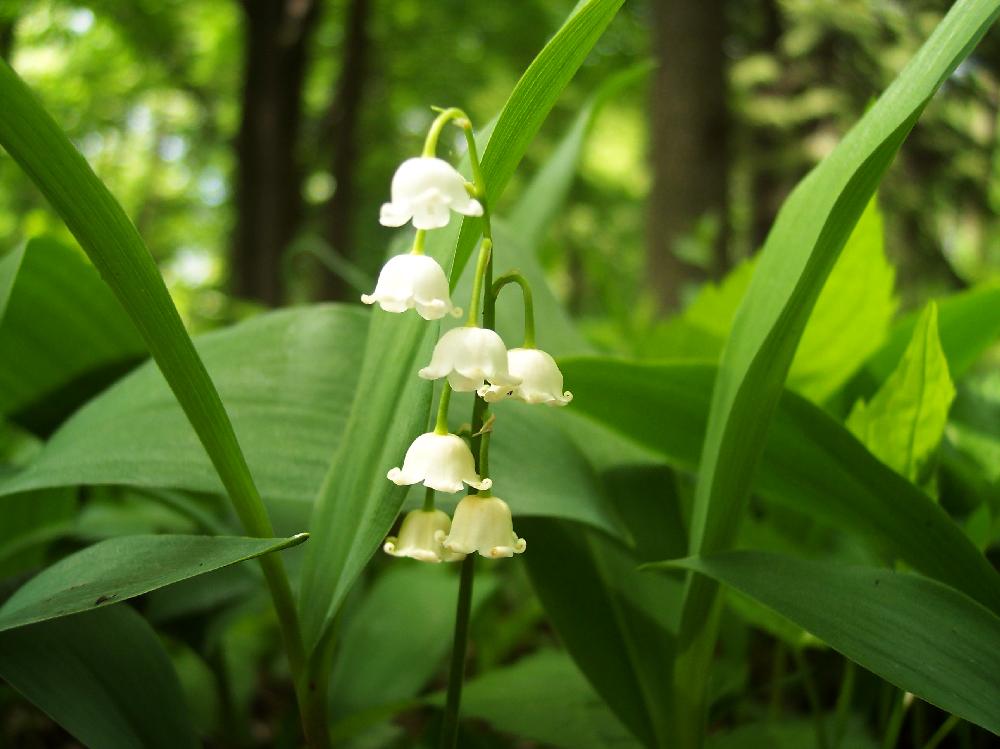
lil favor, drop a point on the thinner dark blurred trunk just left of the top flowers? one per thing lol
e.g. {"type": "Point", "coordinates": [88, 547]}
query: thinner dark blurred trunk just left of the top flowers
{"type": "Point", "coordinates": [343, 120]}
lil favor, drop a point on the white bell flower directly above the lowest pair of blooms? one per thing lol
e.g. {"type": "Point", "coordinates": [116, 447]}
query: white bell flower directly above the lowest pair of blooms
{"type": "Point", "coordinates": [440, 461]}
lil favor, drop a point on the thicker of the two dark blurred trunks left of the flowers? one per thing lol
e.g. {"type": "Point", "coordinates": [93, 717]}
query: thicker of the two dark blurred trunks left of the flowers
{"type": "Point", "coordinates": [268, 181]}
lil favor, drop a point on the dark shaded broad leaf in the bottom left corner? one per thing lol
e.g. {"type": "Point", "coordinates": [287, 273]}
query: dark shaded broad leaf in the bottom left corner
{"type": "Point", "coordinates": [103, 676]}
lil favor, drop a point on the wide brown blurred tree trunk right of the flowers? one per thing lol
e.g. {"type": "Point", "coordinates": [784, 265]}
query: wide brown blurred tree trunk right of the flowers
{"type": "Point", "coordinates": [689, 134]}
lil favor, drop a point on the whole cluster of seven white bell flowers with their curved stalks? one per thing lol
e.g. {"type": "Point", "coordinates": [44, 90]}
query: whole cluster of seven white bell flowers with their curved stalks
{"type": "Point", "coordinates": [471, 359]}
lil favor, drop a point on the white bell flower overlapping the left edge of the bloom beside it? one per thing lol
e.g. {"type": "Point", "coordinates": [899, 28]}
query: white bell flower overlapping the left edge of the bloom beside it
{"type": "Point", "coordinates": [470, 357]}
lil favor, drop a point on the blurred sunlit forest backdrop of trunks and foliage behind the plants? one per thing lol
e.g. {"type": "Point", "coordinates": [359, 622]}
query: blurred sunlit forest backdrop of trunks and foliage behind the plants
{"type": "Point", "coordinates": [252, 141]}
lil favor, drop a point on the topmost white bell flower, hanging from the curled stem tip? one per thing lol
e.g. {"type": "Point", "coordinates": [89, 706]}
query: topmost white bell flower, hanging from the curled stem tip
{"type": "Point", "coordinates": [426, 189]}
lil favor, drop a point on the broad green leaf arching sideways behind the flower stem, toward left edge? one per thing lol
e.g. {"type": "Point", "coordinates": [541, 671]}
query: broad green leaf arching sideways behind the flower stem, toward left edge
{"type": "Point", "coordinates": [290, 378]}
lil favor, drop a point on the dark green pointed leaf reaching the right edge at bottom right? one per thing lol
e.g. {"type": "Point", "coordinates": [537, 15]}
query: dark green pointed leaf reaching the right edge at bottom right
{"type": "Point", "coordinates": [916, 633]}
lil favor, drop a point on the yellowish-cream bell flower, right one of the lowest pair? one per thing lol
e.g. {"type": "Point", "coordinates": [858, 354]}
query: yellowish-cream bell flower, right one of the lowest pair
{"type": "Point", "coordinates": [484, 525]}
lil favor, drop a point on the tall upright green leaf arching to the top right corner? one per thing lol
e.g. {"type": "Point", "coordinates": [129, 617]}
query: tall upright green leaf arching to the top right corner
{"type": "Point", "coordinates": [800, 251]}
